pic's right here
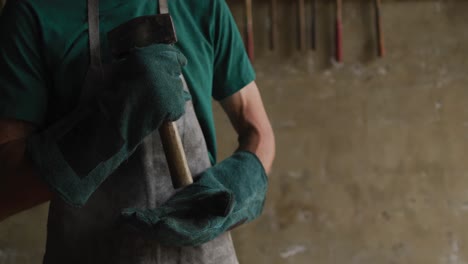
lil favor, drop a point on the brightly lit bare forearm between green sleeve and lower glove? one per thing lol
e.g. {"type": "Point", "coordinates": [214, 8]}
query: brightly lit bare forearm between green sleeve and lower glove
{"type": "Point", "coordinates": [248, 117]}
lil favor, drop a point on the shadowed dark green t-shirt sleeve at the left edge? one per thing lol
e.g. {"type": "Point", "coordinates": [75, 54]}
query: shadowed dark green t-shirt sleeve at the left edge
{"type": "Point", "coordinates": [22, 83]}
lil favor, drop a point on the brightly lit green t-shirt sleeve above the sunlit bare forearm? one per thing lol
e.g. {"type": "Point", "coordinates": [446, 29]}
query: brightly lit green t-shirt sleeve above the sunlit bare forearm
{"type": "Point", "coordinates": [232, 67]}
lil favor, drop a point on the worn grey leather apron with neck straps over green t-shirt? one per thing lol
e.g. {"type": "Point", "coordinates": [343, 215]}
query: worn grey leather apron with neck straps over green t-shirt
{"type": "Point", "coordinates": [94, 233]}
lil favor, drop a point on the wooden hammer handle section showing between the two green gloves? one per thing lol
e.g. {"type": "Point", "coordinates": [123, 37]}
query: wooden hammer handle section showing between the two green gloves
{"type": "Point", "coordinates": [175, 155]}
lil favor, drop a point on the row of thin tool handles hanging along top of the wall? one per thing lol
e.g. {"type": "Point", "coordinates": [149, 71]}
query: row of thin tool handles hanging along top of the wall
{"type": "Point", "coordinates": [302, 27]}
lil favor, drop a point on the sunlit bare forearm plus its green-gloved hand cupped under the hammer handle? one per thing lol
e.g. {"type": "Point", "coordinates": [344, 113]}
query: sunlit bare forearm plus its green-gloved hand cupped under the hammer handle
{"type": "Point", "coordinates": [226, 195]}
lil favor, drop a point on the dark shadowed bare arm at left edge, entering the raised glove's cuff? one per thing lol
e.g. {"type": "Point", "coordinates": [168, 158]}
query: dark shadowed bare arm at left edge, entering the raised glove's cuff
{"type": "Point", "coordinates": [20, 186]}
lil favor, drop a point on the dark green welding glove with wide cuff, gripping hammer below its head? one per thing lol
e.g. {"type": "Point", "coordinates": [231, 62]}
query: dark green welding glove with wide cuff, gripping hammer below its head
{"type": "Point", "coordinates": [77, 153]}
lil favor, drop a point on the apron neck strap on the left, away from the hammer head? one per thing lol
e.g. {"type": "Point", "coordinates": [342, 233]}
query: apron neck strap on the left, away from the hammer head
{"type": "Point", "coordinates": [93, 28]}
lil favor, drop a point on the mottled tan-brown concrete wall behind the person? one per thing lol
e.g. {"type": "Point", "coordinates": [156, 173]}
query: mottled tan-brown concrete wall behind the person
{"type": "Point", "coordinates": [371, 154]}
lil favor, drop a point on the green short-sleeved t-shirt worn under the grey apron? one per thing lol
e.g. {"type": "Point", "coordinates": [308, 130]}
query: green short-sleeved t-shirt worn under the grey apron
{"type": "Point", "coordinates": [44, 54]}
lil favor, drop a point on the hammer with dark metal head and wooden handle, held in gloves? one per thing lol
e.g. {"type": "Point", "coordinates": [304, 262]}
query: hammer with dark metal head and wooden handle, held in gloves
{"type": "Point", "coordinates": [141, 32]}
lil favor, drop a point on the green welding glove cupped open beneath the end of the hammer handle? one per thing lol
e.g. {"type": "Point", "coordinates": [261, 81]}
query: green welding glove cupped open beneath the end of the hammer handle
{"type": "Point", "coordinates": [224, 196]}
